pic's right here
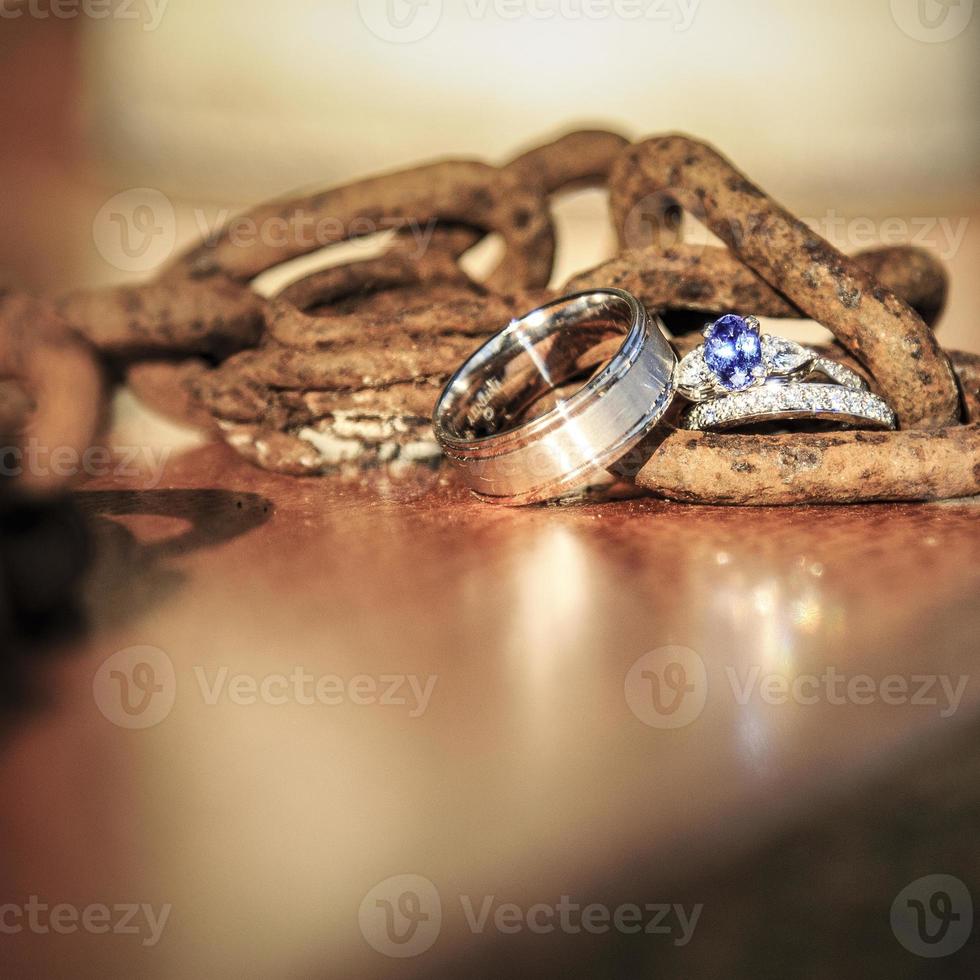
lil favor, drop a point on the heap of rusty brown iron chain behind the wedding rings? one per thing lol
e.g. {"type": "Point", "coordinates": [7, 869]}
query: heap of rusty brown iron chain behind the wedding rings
{"type": "Point", "coordinates": [342, 366]}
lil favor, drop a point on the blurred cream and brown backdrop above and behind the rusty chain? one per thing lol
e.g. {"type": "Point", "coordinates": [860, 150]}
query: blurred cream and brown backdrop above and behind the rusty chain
{"type": "Point", "coordinates": [862, 117]}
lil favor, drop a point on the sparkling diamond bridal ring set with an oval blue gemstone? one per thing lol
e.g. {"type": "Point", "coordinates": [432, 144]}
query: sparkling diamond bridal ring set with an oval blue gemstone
{"type": "Point", "coordinates": [740, 376]}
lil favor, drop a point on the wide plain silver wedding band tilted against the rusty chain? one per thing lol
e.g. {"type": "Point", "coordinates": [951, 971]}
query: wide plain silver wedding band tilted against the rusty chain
{"type": "Point", "coordinates": [479, 419]}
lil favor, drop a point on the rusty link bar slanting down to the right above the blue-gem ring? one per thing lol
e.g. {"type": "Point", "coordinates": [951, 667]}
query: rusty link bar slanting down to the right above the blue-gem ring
{"type": "Point", "coordinates": [870, 320]}
